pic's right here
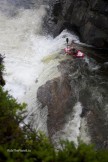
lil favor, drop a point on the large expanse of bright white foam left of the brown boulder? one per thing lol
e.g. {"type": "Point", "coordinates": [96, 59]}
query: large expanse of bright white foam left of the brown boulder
{"type": "Point", "coordinates": [24, 47]}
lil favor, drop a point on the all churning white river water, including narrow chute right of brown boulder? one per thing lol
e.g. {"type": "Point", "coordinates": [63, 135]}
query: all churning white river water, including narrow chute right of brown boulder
{"type": "Point", "coordinates": [27, 52]}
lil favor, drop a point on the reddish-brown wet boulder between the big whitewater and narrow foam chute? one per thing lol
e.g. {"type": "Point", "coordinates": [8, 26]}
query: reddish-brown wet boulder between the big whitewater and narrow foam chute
{"type": "Point", "coordinates": [58, 96]}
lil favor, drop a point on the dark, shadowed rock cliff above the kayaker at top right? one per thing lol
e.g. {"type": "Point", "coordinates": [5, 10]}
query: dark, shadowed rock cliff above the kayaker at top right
{"type": "Point", "coordinates": [89, 18]}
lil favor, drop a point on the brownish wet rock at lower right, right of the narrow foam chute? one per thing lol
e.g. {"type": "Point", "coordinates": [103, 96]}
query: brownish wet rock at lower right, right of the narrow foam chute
{"type": "Point", "coordinates": [98, 129]}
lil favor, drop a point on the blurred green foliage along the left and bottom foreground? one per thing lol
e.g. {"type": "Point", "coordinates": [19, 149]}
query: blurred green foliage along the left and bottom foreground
{"type": "Point", "coordinates": [23, 144]}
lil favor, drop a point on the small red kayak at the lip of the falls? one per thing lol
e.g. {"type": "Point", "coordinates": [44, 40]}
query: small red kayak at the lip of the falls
{"type": "Point", "coordinates": [74, 52]}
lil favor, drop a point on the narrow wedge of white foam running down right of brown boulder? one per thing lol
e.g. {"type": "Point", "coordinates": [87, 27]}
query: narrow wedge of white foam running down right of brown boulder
{"type": "Point", "coordinates": [71, 129]}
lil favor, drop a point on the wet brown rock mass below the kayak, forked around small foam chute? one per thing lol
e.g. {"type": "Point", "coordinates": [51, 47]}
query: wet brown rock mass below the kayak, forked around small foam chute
{"type": "Point", "coordinates": [79, 81]}
